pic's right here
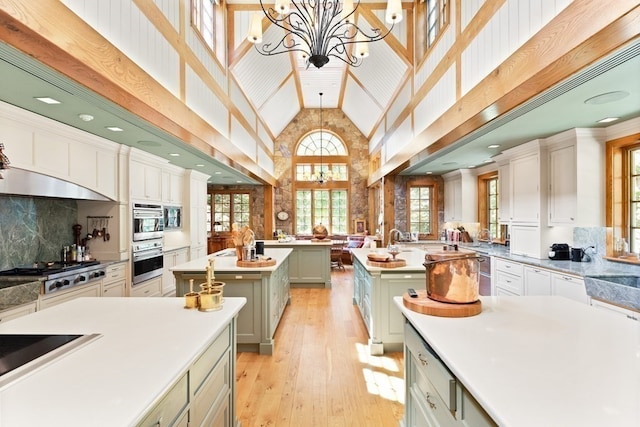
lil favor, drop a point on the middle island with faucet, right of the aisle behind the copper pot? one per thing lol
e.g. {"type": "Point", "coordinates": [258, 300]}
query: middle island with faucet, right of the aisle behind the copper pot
{"type": "Point", "coordinates": [373, 292]}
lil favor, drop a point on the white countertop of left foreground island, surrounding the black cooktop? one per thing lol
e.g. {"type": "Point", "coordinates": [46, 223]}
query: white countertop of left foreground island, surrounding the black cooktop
{"type": "Point", "coordinates": [146, 345]}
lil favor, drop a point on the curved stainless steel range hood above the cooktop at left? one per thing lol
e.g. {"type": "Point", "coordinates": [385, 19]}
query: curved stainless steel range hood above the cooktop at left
{"type": "Point", "coordinates": [28, 183]}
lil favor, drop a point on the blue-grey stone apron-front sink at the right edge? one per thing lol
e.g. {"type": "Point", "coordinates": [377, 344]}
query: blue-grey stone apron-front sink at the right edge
{"type": "Point", "coordinates": [622, 290]}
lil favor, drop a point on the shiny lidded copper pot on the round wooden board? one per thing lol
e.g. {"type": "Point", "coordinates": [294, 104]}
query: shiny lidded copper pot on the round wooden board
{"type": "Point", "coordinates": [453, 276]}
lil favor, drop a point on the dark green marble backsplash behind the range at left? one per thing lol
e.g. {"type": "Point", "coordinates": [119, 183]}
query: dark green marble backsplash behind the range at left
{"type": "Point", "coordinates": [34, 229]}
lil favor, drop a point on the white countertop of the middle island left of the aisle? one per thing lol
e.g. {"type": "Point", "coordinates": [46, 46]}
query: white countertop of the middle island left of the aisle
{"type": "Point", "coordinates": [225, 260]}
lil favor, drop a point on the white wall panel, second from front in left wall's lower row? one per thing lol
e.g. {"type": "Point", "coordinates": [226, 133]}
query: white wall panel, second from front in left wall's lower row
{"type": "Point", "coordinates": [203, 101]}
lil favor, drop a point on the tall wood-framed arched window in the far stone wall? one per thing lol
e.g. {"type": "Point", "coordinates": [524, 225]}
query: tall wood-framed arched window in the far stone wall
{"type": "Point", "coordinates": [321, 183]}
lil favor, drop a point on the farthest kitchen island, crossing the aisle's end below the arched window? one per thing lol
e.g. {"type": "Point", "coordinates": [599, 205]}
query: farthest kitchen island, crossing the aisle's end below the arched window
{"type": "Point", "coordinates": [309, 262]}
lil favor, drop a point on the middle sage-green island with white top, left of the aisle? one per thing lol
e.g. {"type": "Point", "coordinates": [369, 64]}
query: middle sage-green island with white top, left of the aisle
{"type": "Point", "coordinates": [266, 289]}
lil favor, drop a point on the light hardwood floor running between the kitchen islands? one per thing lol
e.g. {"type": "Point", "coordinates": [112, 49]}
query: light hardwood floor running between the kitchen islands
{"type": "Point", "coordinates": [321, 373]}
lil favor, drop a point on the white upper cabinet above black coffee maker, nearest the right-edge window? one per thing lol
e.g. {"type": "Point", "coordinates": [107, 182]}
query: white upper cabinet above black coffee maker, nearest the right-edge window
{"type": "Point", "coordinates": [576, 190]}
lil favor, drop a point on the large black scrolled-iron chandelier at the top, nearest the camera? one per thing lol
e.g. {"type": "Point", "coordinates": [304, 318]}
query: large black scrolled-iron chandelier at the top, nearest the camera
{"type": "Point", "coordinates": [318, 29]}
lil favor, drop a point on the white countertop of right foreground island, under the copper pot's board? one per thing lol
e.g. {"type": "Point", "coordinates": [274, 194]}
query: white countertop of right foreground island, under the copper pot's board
{"type": "Point", "coordinates": [542, 361]}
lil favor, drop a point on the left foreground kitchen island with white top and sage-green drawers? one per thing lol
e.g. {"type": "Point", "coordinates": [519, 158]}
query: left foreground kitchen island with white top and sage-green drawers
{"type": "Point", "coordinates": [152, 359]}
